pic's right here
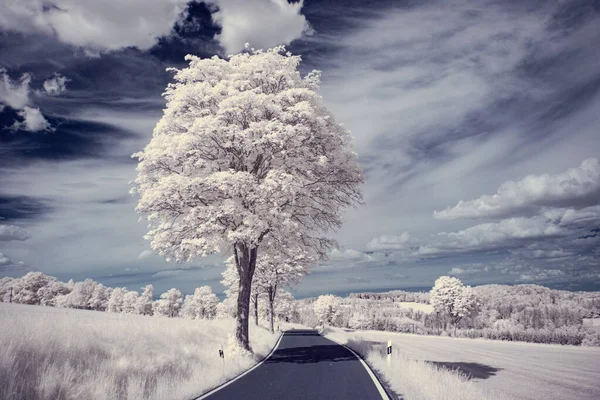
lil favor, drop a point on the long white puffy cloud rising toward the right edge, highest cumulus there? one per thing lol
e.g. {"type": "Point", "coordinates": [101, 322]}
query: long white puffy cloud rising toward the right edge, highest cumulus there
{"type": "Point", "coordinates": [575, 187]}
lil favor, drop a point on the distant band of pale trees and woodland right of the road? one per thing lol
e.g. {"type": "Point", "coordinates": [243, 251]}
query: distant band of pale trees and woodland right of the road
{"type": "Point", "coordinates": [529, 313]}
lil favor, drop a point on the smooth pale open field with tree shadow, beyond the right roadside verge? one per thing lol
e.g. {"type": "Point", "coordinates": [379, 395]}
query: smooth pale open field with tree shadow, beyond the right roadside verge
{"type": "Point", "coordinates": [523, 371]}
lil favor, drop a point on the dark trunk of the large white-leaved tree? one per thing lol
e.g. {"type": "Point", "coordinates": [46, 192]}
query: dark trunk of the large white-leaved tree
{"type": "Point", "coordinates": [245, 258]}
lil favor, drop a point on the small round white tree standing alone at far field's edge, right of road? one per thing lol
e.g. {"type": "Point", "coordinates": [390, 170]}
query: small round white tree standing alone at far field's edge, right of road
{"type": "Point", "coordinates": [451, 298]}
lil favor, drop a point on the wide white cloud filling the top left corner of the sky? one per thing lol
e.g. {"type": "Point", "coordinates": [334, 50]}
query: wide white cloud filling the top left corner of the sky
{"type": "Point", "coordinates": [92, 24]}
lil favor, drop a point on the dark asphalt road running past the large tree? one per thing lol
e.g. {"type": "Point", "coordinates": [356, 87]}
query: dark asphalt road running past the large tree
{"type": "Point", "coordinates": [304, 366]}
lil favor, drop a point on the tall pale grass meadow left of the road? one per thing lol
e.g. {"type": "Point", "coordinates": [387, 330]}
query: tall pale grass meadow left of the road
{"type": "Point", "coordinates": [61, 354]}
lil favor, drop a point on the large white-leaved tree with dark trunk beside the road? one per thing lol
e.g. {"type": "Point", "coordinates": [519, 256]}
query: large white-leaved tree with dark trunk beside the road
{"type": "Point", "coordinates": [246, 151]}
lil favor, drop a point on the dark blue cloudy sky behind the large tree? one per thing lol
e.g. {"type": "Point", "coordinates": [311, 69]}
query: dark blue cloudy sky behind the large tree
{"type": "Point", "coordinates": [476, 122]}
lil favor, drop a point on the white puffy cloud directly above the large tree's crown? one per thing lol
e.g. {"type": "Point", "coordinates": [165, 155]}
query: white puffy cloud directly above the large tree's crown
{"type": "Point", "coordinates": [262, 23]}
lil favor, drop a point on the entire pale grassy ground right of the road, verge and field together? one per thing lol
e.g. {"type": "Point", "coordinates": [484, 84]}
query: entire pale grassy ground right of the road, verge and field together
{"type": "Point", "coordinates": [457, 368]}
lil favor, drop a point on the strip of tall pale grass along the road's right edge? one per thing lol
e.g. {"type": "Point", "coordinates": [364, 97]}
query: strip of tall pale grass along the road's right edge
{"type": "Point", "coordinates": [412, 379]}
